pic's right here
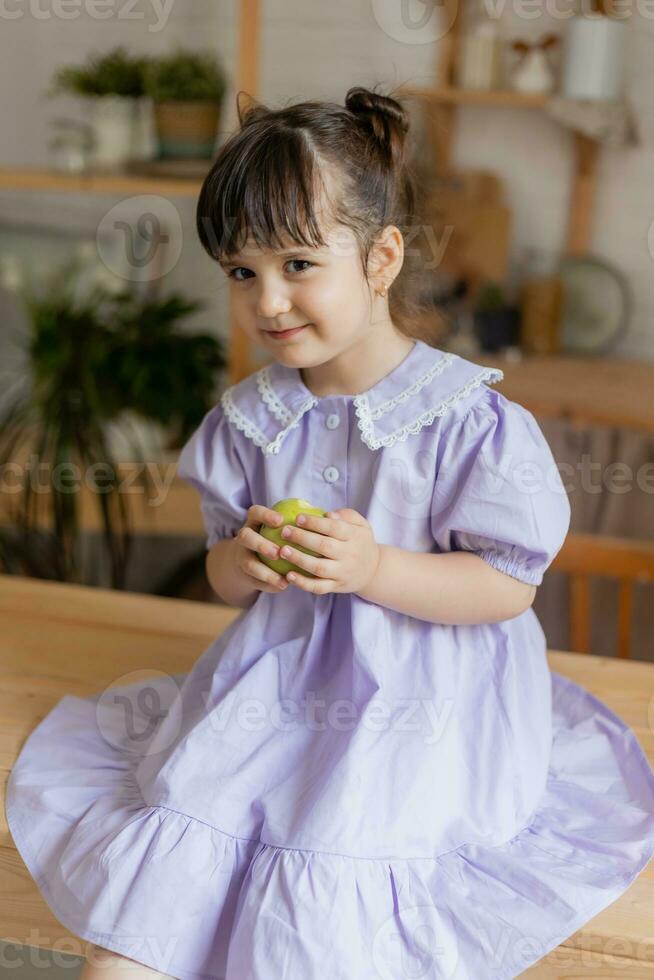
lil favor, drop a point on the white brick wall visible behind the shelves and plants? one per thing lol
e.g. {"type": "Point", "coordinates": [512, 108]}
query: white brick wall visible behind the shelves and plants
{"type": "Point", "coordinates": [318, 50]}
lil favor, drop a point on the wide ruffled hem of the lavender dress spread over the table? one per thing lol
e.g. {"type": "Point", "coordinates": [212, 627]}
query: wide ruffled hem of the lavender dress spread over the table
{"type": "Point", "coordinates": [191, 901]}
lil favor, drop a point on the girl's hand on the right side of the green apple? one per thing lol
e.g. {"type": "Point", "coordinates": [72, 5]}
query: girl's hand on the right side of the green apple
{"type": "Point", "coordinates": [348, 554]}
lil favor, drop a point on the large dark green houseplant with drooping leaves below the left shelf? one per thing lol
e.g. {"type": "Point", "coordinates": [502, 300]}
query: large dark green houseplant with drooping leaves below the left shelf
{"type": "Point", "coordinates": [93, 357]}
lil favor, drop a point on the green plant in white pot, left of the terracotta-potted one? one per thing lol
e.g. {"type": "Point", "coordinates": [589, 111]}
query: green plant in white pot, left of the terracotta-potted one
{"type": "Point", "coordinates": [112, 85]}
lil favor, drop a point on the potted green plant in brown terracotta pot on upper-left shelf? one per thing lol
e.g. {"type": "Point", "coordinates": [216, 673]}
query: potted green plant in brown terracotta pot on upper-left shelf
{"type": "Point", "coordinates": [187, 89]}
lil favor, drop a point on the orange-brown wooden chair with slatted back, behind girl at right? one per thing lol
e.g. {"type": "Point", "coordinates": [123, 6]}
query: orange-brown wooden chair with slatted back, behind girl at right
{"type": "Point", "coordinates": [586, 555]}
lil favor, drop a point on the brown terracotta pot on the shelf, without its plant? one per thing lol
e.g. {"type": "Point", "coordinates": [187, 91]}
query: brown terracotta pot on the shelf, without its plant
{"type": "Point", "coordinates": [186, 129]}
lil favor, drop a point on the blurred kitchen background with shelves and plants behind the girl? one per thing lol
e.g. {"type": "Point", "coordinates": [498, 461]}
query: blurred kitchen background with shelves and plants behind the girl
{"type": "Point", "coordinates": [533, 146]}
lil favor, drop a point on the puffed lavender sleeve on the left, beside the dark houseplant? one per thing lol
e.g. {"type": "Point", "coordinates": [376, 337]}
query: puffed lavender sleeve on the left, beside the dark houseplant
{"type": "Point", "coordinates": [210, 462]}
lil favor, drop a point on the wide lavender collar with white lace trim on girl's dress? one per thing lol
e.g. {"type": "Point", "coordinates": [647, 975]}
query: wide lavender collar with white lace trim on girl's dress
{"type": "Point", "coordinates": [268, 404]}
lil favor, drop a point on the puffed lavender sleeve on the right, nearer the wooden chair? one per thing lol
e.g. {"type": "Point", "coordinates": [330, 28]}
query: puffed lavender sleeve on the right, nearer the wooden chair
{"type": "Point", "coordinates": [498, 491]}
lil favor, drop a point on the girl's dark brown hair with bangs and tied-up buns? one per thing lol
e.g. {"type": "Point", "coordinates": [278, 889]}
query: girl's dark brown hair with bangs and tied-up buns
{"type": "Point", "coordinates": [267, 176]}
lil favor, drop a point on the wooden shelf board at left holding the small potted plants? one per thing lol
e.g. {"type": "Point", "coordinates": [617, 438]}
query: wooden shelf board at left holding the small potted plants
{"type": "Point", "coordinates": [28, 178]}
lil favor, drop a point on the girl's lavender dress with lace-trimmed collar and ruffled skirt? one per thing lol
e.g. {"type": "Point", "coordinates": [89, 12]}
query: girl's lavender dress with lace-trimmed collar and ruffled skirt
{"type": "Point", "coordinates": [337, 789]}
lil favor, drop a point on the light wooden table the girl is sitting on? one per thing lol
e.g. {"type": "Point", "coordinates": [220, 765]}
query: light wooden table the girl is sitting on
{"type": "Point", "coordinates": [59, 639]}
